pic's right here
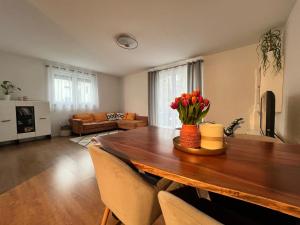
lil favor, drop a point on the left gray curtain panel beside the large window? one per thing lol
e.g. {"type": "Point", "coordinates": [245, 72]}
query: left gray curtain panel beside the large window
{"type": "Point", "coordinates": [152, 96]}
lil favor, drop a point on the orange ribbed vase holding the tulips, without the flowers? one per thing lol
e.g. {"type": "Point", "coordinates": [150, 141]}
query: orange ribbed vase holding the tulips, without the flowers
{"type": "Point", "coordinates": [189, 136]}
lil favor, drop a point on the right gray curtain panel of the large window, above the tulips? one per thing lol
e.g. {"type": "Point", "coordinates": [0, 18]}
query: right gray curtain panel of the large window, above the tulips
{"type": "Point", "coordinates": [194, 74]}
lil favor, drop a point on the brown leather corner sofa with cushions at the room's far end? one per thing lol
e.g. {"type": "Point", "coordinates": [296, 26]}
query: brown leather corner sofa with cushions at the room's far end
{"type": "Point", "coordinates": [85, 123]}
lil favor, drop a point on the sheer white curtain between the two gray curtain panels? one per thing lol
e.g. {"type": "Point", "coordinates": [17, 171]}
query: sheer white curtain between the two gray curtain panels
{"type": "Point", "coordinates": [170, 84]}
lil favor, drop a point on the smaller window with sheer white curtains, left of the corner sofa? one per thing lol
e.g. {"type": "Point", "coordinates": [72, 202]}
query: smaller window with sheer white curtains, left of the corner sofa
{"type": "Point", "coordinates": [71, 90]}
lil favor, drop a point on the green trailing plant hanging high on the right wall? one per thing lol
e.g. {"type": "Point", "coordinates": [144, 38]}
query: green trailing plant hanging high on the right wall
{"type": "Point", "coordinates": [271, 42]}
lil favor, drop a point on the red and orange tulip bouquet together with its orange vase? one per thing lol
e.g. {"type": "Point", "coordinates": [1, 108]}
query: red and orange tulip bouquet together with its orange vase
{"type": "Point", "coordinates": [192, 108]}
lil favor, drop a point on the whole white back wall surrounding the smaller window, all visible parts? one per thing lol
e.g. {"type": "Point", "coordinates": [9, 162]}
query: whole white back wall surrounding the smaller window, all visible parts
{"type": "Point", "coordinates": [30, 75]}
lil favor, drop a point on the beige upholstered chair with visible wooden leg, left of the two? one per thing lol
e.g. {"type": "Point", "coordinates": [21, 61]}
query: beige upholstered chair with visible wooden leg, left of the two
{"type": "Point", "coordinates": [123, 191]}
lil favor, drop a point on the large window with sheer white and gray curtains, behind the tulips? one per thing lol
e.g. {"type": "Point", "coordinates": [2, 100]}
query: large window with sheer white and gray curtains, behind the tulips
{"type": "Point", "coordinates": [164, 85]}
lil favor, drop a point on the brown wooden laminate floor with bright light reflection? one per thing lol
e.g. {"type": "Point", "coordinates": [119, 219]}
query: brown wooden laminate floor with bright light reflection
{"type": "Point", "coordinates": [49, 182]}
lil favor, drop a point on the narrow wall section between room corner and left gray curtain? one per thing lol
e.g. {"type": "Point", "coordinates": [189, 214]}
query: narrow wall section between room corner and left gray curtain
{"type": "Point", "coordinates": [135, 93]}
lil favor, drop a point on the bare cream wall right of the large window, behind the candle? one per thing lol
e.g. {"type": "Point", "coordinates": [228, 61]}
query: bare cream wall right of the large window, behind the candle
{"type": "Point", "coordinates": [229, 84]}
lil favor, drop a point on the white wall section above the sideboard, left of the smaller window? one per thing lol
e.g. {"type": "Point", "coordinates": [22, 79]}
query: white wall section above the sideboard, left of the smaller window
{"type": "Point", "coordinates": [27, 73]}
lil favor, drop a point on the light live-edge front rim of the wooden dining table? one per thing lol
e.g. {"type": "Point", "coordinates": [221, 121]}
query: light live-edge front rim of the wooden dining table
{"type": "Point", "coordinates": [258, 200]}
